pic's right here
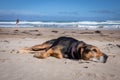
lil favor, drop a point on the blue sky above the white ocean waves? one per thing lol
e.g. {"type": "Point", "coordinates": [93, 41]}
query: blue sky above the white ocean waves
{"type": "Point", "coordinates": [60, 10]}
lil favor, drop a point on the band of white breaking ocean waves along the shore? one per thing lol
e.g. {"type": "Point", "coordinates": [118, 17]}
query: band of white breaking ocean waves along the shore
{"type": "Point", "coordinates": [103, 25]}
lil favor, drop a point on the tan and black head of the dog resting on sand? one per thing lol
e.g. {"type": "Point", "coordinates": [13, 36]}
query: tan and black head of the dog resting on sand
{"type": "Point", "coordinates": [90, 52]}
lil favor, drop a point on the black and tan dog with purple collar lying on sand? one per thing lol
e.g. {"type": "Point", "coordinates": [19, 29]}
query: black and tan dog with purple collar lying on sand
{"type": "Point", "coordinates": [67, 47]}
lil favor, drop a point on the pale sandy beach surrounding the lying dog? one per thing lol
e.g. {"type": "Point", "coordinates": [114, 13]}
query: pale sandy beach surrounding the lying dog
{"type": "Point", "coordinates": [17, 66]}
